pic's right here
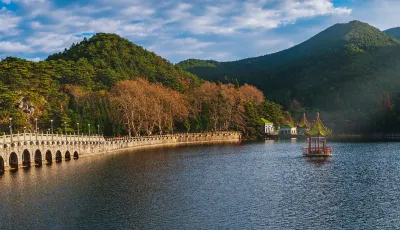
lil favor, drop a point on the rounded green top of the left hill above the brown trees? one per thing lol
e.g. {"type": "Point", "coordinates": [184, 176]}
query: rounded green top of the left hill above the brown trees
{"type": "Point", "coordinates": [107, 58]}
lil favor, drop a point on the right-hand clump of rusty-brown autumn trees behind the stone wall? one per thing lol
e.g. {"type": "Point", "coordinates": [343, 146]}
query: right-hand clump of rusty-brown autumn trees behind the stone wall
{"type": "Point", "coordinates": [221, 107]}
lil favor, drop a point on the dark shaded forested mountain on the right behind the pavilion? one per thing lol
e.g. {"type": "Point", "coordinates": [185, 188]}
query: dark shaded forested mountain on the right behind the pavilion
{"type": "Point", "coordinates": [351, 71]}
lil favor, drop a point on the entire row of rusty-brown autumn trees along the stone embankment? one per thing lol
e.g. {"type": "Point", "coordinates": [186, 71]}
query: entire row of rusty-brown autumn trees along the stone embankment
{"type": "Point", "coordinates": [142, 107]}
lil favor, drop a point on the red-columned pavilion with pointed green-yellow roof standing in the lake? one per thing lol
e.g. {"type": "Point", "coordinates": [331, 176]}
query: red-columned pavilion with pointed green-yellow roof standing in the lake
{"type": "Point", "coordinates": [317, 135]}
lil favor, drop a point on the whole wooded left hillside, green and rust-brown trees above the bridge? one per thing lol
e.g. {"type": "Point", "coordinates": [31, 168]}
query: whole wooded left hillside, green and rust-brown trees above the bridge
{"type": "Point", "coordinates": [112, 84]}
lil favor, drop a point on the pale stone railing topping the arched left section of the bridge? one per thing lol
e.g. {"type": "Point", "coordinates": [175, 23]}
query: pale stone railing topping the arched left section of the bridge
{"type": "Point", "coordinates": [24, 137]}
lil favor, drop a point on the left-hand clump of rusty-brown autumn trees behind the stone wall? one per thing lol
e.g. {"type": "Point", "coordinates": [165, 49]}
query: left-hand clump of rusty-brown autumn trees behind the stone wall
{"type": "Point", "coordinates": [144, 107]}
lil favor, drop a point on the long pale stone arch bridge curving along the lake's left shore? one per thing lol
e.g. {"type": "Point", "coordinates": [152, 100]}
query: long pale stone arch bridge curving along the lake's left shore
{"type": "Point", "coordinates": [28, 149]}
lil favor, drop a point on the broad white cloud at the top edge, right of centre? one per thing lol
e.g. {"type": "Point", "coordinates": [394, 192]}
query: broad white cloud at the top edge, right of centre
{"type": "Point", "coordinates": [250, 15]}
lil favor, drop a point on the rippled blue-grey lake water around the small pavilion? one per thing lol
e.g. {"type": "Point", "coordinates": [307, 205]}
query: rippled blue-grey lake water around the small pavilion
{"type": "Point", "coordinates": [266, 185]}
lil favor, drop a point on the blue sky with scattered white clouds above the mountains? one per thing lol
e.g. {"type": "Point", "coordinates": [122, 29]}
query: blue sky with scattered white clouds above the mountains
{"type": "Point", "coordinates": [222, 30]}
